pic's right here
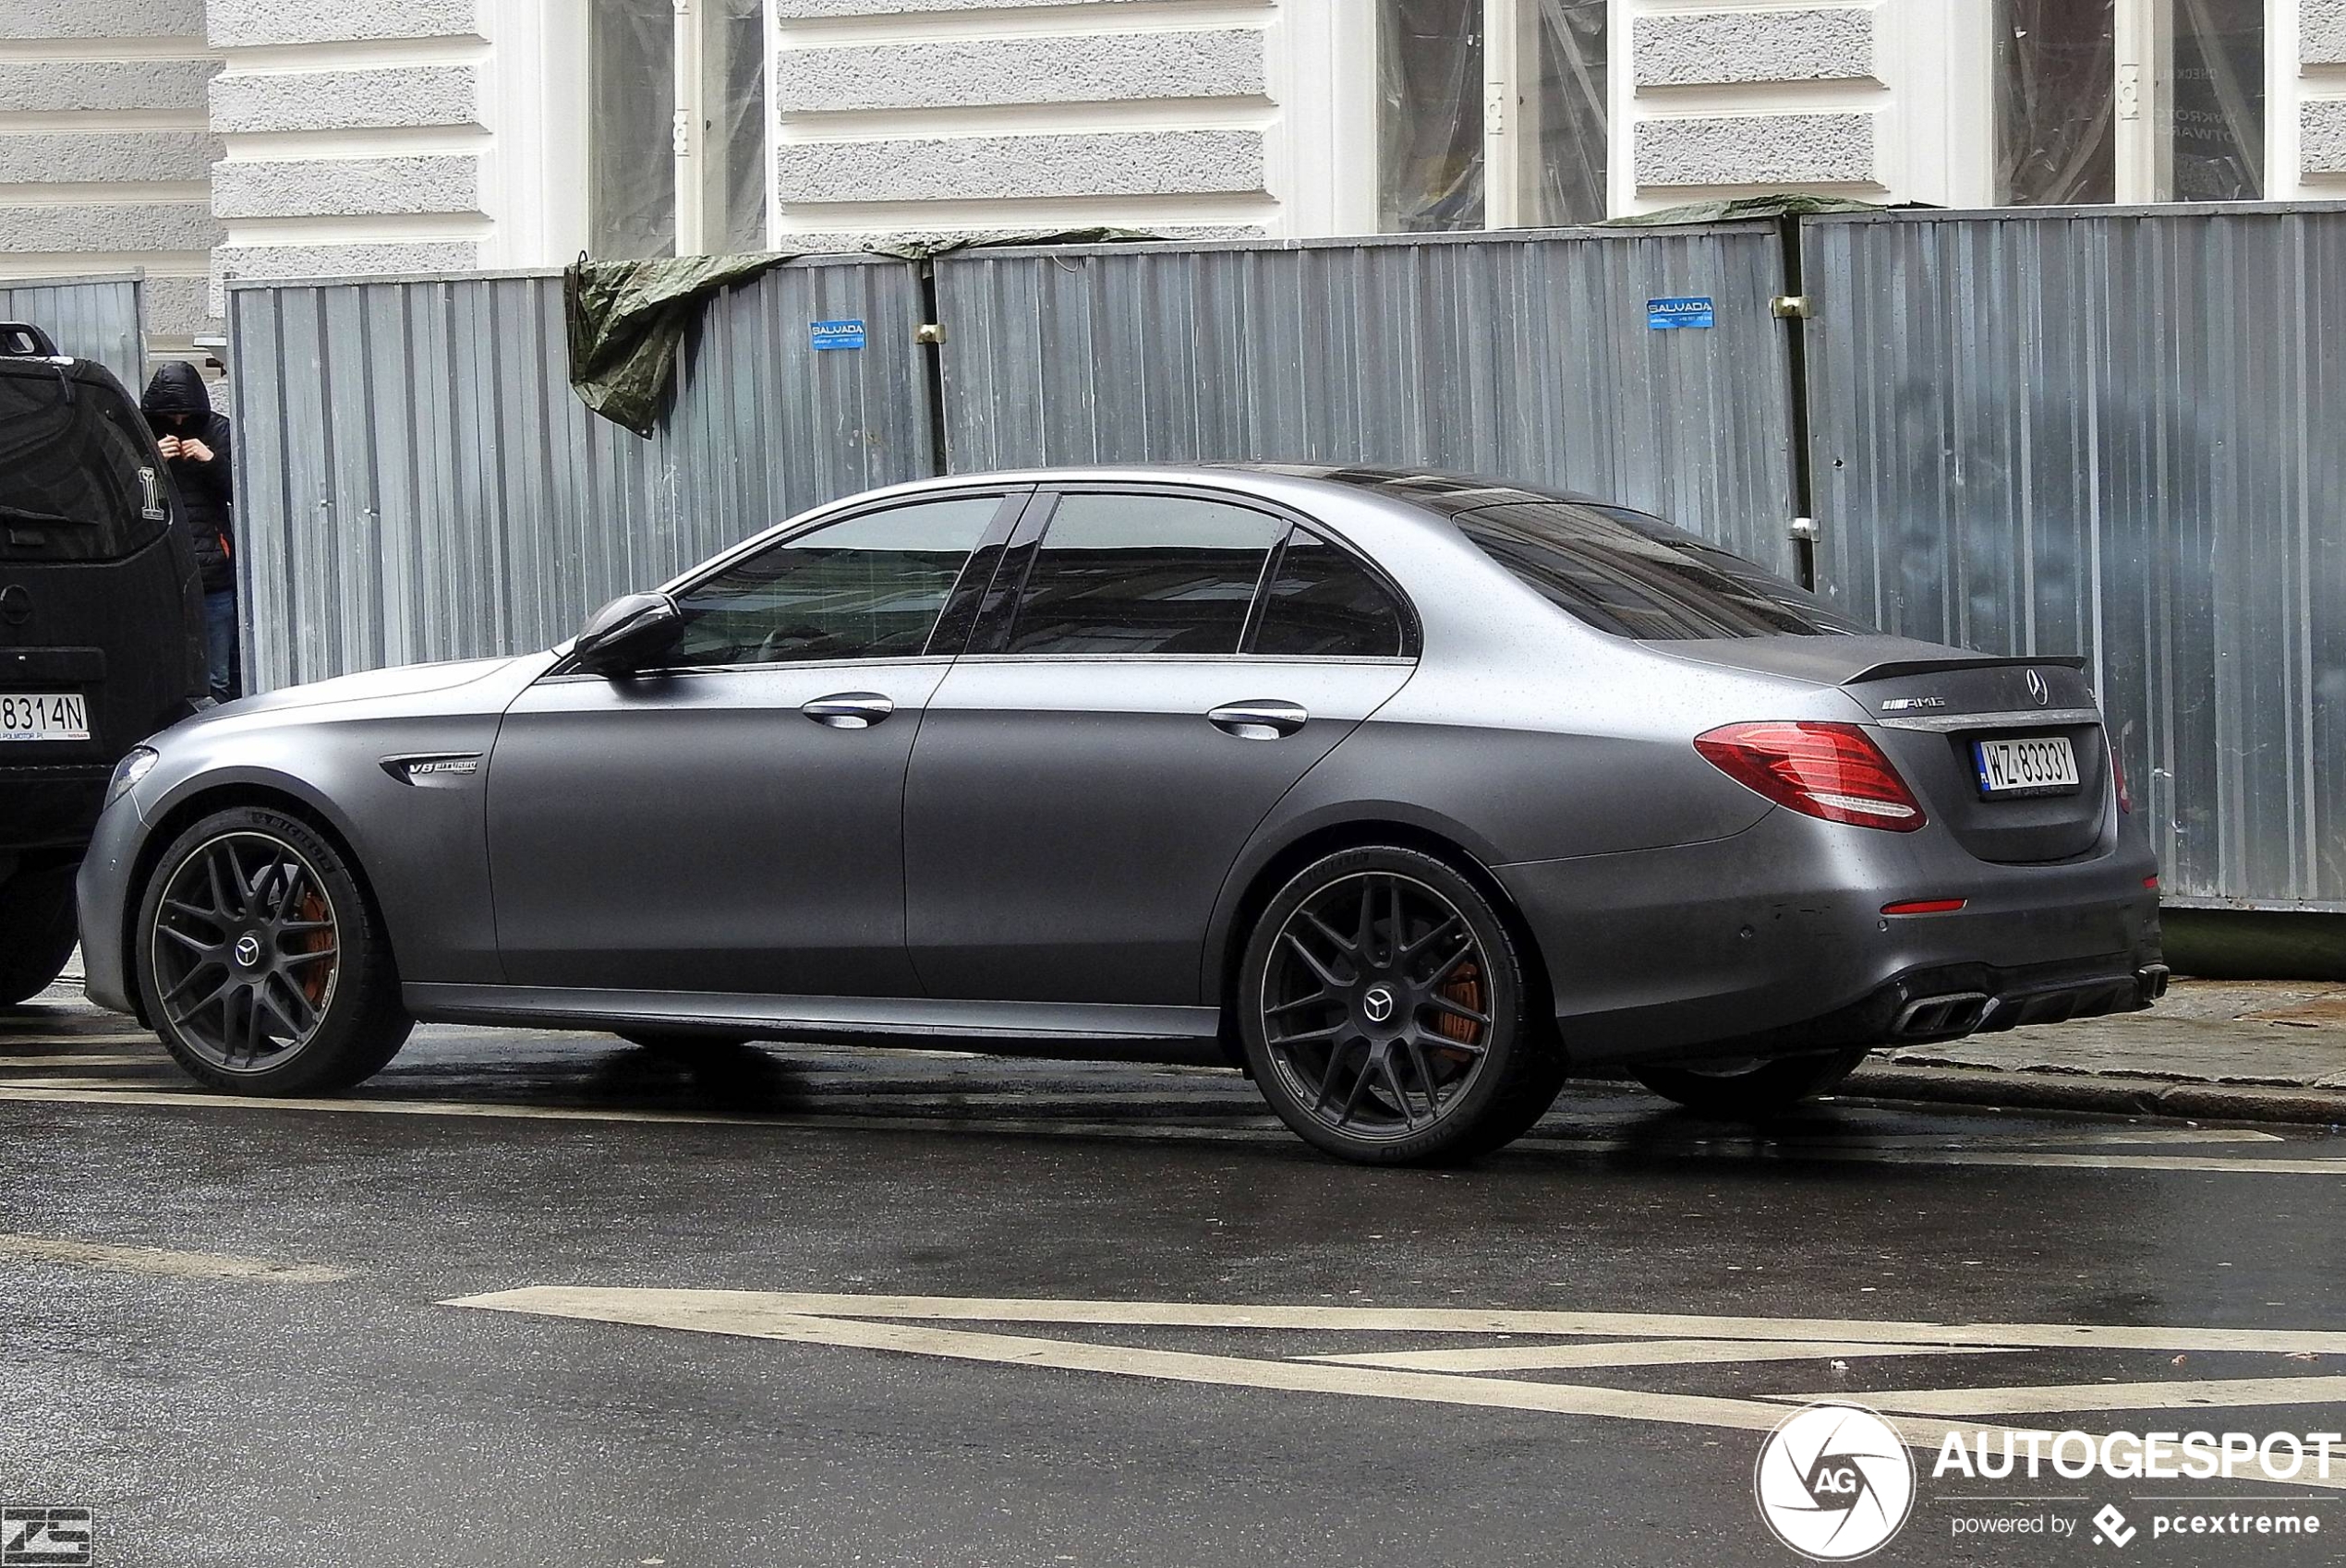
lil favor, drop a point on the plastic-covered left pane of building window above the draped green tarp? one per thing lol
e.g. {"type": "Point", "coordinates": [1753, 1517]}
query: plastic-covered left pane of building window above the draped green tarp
{"type": "Point", "coordinates": [632, 128]}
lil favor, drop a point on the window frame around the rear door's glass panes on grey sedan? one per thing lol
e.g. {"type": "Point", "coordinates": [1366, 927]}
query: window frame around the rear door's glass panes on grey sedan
{"type": "Point", "coordinates": [991, 639]}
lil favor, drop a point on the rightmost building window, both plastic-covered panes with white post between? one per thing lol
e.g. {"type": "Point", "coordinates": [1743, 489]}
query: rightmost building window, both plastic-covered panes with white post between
{"type": "Point", "coordinates": [2129, 102]}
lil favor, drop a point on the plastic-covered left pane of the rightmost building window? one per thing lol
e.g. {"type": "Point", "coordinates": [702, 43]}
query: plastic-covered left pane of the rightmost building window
{"type": "Point", "coordinates": [2056, 97]}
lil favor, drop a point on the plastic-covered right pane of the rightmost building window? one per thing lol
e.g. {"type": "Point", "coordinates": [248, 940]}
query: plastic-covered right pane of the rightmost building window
{"type": "Point", "coordinates": [2211, 102]}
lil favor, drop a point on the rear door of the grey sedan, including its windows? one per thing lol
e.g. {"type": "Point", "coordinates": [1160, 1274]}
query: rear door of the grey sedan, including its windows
{"type": "Point", "coordinates": [1151, 674]}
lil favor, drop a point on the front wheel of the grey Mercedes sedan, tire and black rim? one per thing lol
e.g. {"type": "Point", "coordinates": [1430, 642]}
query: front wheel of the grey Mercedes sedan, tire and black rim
{"type": "Point", "coordinates": [266, 927]}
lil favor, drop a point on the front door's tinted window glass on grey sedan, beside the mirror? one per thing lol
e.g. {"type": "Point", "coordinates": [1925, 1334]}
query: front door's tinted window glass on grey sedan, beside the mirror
{"type": "Point", "coordinates": [860, 589]}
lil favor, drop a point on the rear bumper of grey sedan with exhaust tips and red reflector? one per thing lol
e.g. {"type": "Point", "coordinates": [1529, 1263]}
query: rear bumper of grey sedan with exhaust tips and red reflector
{"type": "Point", "coordinates": [1775, 943]}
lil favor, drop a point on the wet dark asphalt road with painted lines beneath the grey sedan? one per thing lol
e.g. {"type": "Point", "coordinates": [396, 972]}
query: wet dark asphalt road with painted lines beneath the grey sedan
{"type": "Point", "coordinates": [229, 1325]}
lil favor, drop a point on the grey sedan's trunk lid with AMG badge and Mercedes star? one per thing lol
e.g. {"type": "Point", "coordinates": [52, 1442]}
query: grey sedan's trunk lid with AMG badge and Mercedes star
{"type": "Point", "coordinates": [1932, 707]}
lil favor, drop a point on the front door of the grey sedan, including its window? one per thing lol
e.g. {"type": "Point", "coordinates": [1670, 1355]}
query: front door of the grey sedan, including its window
{"type": "Point", "coordinates": [733, 822]}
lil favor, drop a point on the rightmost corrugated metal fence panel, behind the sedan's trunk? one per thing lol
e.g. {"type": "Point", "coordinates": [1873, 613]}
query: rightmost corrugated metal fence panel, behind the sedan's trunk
{"type": "Point", "coordinates": [2120, 435]}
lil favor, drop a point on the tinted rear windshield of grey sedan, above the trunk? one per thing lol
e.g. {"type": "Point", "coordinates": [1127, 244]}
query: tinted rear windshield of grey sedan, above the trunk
{"type": "Point", "coordinates": [1641, 578]}
